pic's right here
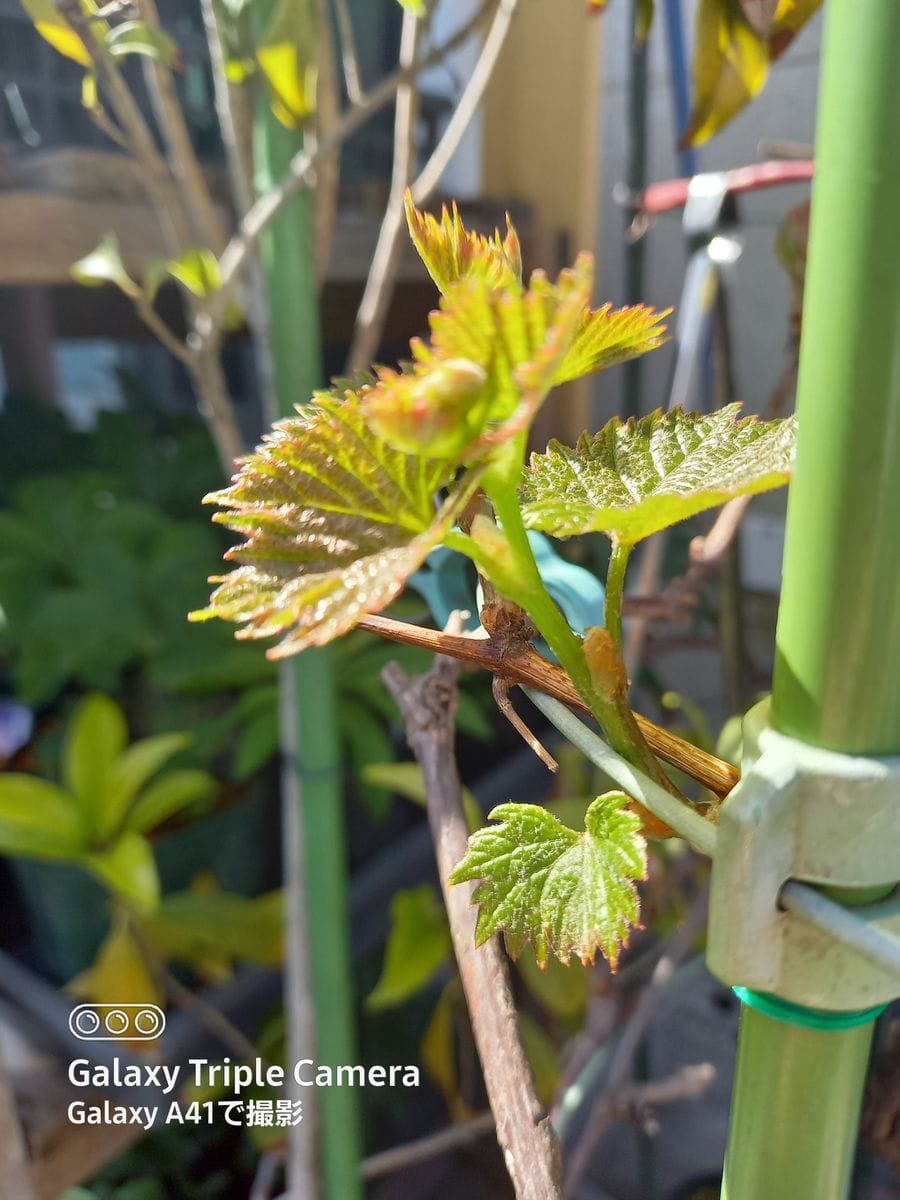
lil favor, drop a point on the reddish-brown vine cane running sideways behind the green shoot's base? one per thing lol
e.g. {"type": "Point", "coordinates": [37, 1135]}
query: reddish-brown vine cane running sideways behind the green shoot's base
{"type": "Point", "coordinates": [532, 670]}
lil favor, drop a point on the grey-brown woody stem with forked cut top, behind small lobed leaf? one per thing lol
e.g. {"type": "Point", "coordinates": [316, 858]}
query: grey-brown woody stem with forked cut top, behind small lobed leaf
{"type": "Point", "coordinates": [529, 1143]}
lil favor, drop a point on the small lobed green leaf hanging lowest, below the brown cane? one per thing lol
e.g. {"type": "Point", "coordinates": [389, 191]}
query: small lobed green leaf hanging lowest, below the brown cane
{"type": "Point", "coordinates": [563, 892]}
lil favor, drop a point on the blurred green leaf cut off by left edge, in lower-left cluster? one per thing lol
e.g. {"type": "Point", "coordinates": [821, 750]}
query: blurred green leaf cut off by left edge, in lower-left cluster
{"type": "Point", "coordinates": [39, 820]}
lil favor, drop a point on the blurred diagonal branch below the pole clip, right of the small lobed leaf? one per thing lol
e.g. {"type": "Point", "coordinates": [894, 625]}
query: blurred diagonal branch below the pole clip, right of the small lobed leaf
{"type": "Point", "coordinates": [603, 1112]}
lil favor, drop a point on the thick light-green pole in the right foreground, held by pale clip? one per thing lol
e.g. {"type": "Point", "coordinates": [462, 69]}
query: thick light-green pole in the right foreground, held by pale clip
{"type": "Point", "coordinates": [799, 1091]}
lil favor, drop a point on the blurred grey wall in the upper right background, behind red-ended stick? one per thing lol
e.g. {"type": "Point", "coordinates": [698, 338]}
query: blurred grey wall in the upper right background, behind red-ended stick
{"type": "Point", "coordinates": [759, 289]}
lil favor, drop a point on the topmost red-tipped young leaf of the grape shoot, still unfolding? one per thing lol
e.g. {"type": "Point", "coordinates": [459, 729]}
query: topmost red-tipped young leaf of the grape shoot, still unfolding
{"type": "Point", "coordinates": [453, 253]}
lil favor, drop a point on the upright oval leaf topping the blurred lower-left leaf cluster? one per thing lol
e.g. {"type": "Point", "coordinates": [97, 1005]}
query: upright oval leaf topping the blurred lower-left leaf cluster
{"type": "Point", "coordinates": [95, 739]}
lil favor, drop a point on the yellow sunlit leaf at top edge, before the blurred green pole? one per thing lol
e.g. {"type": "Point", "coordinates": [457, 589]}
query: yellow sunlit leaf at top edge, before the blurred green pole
{"type": "Point", "coordinates": [287, 57]}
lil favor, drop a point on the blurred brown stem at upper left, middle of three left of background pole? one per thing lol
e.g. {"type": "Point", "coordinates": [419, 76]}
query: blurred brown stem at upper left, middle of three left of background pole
{"type": "Point", "coordinates": [196, 199]}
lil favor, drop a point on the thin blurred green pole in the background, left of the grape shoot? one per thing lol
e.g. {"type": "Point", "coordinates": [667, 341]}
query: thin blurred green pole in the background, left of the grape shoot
{"type": "Point", "coordinates": [289, 265]}
